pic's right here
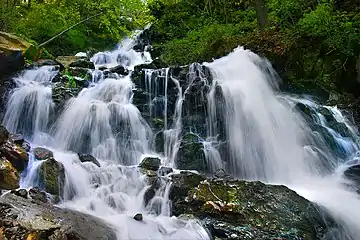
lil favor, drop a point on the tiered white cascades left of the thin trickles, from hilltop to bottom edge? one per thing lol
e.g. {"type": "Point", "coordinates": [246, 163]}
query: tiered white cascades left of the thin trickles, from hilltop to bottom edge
{"type": "Point", "coordinates": [102, 121]}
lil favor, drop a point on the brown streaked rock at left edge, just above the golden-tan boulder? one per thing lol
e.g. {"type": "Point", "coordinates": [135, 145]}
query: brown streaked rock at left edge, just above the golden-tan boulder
{"type": "Point", "coordinates": [15, 154]}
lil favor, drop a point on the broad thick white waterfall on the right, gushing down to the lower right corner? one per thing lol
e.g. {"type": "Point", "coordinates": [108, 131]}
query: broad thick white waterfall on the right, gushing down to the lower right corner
{"type": "Point", "coordinates": [269, 141]}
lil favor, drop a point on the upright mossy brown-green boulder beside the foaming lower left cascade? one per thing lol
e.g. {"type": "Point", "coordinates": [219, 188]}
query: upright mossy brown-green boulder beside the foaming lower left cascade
{"type": "Point", "coordinates": [52, 177]}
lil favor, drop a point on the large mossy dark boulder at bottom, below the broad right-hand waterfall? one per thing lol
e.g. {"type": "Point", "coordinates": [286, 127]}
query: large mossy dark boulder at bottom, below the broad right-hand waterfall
{"type": "Point", "coordinates": [252, 210]}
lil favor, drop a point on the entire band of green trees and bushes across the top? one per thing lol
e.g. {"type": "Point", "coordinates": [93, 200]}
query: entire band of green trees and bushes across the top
{"type": "Point", "coordinates": [313, 44]}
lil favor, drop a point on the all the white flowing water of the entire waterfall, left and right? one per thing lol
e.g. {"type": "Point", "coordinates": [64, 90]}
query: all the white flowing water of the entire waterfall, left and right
{"type": "Point", "coordinates": [267, 139]}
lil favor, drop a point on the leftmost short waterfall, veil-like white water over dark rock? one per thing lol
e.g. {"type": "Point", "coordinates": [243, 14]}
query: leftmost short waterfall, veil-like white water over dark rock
{"type": "Point", "coordinates": [31, 100]}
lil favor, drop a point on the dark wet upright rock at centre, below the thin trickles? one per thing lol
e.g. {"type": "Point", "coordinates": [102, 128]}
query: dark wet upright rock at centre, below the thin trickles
{"type": "Point", "coordinates": [191, 154]}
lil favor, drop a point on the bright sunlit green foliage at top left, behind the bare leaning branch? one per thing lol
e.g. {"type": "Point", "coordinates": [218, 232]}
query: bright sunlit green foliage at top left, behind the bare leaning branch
{"type": "Point", "coordinates": [39, 20]}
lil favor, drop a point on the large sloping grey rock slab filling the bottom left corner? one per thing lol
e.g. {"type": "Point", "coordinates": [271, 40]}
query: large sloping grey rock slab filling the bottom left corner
{"type": "Point", "coordinates": [25, 219]}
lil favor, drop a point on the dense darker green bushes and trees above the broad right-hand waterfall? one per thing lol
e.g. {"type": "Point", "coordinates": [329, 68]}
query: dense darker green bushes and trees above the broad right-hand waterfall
{"type": "Point", "coordinates": [313, 44]}
